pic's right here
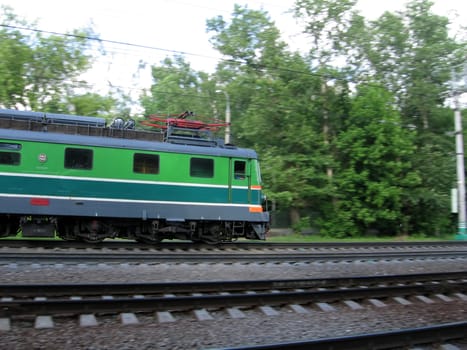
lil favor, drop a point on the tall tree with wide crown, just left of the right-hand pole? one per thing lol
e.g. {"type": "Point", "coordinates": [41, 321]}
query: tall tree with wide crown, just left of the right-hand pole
{"type": "Point", "coordinates": [413, 55]}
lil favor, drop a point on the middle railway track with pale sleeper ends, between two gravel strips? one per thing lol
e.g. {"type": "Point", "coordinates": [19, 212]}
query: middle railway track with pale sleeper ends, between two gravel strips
{"type": "Point", "coordinates": [75, 299]}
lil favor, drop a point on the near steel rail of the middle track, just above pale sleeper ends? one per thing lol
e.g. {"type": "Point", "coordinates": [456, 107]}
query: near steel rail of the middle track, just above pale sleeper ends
{"type": "Point", "coordinates": [183, 303]}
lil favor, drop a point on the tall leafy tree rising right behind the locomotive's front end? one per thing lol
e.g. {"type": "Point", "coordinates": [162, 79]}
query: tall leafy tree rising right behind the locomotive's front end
{"type": "Point", "coordinates": [277, 107]}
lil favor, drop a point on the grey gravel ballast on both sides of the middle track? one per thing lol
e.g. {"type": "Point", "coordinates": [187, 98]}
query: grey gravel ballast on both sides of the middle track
{"type": "Point", "coordinates": [256, 328]}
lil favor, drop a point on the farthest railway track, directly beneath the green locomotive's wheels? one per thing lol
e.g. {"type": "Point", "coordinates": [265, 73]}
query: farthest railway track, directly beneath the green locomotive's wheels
{"type": "Point", "coordinates": [56, 252]}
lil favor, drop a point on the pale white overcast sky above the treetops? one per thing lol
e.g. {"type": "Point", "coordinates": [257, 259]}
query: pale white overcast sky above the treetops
{"type": "Point", "coordinates": [170, 26]}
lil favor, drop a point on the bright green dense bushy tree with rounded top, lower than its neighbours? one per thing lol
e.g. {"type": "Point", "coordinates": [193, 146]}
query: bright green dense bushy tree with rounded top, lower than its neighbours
{"type": "Point", "coordinates": [375, 170]}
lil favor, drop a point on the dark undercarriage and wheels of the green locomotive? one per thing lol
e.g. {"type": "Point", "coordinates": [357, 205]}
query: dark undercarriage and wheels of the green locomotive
{"type": "Point", "coordinates": [94, 230]}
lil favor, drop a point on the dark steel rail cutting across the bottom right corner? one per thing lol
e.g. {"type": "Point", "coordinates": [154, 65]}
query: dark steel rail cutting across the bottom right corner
{"type": "Point", "coordinates": [403, 339]}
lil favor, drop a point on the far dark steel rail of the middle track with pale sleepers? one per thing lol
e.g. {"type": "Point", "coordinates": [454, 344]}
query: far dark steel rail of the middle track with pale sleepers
{"type": "Point", "coordinates": [87, 289]}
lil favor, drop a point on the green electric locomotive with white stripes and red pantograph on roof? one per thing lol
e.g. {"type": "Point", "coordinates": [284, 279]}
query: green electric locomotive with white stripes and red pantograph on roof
{"type": "Point", "coordinates": [77, 179]}
